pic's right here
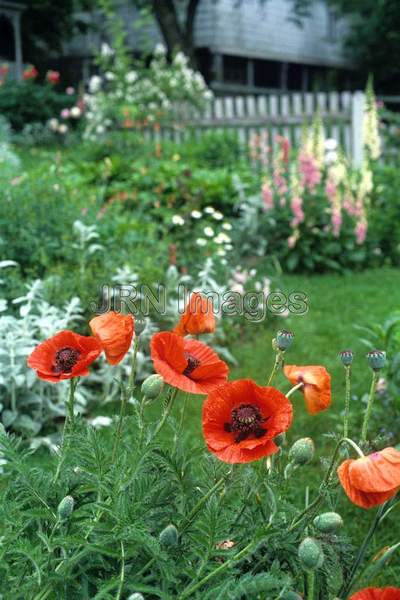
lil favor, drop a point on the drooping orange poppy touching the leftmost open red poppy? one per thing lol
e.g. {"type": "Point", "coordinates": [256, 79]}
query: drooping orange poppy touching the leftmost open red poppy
{"type": "Point", "coordinates": [114, 332]}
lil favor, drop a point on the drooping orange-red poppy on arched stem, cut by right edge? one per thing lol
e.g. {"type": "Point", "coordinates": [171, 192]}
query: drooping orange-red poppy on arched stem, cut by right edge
{"type": "Point", "coordinates": [373, 479]}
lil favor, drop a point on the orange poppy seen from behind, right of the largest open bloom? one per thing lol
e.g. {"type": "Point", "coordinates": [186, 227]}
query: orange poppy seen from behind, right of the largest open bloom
{"type": "Point", "coordinates": [316, 388]}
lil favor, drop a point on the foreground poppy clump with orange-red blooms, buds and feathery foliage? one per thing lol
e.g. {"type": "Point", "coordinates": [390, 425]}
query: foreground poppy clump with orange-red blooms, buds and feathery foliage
{"type": "Point", "coordinates": [145, 509]}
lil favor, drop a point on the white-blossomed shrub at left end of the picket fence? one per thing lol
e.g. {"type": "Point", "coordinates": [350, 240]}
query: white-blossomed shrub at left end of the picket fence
{"type": "Point", "coordinates": [142, 95]}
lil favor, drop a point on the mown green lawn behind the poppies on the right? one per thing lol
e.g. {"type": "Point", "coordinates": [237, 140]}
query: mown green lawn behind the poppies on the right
{"type": "Point", "coordinates": [336, 304]}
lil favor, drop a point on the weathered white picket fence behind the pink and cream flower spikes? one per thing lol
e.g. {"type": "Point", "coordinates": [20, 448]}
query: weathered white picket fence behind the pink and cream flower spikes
{"type": "Point", "coordinates": [283, 114]}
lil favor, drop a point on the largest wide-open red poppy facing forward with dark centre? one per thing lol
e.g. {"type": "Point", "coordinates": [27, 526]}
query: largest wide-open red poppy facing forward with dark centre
{"type": "Point", "coordinates": [240, 420]}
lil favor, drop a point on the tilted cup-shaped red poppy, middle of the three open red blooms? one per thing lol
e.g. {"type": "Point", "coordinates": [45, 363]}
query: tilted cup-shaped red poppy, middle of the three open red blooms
{"type": "Point", "coordinates": [187, 364]}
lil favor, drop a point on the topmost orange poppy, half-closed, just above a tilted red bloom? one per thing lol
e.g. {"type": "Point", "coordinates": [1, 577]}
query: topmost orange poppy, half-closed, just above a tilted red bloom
{"type": "Point", "coordinates": [198, 316]}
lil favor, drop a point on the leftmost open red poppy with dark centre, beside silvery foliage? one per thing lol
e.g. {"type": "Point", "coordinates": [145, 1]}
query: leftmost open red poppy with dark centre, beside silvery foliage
{"type": "Point", "coordinates": [64, 356]}
